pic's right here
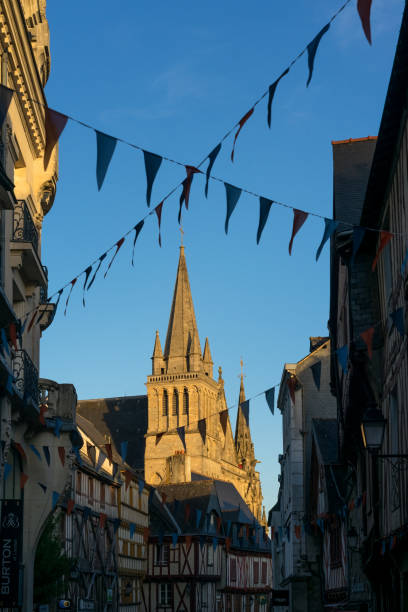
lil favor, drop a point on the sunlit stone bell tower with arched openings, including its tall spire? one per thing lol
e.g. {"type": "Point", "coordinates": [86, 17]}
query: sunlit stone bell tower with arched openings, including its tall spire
{"type": "Point", "coordinates": [181, 390]}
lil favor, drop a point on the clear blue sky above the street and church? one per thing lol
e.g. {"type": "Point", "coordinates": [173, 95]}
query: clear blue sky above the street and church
{"type": "Point", "coordinates": [173, 78]}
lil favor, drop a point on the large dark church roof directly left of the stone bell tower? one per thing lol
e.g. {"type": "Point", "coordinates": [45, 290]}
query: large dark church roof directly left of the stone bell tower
{"type": "Point", "coordinates": [123, 419]}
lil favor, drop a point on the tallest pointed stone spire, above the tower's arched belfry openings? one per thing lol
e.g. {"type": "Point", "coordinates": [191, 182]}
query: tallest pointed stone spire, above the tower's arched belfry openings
{"type": "Point", "coordinates": [182, 340]}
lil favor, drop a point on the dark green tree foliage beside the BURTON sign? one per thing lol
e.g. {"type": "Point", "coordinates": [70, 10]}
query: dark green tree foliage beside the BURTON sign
{"type": "Point", "coordinates": [51, 564]}
